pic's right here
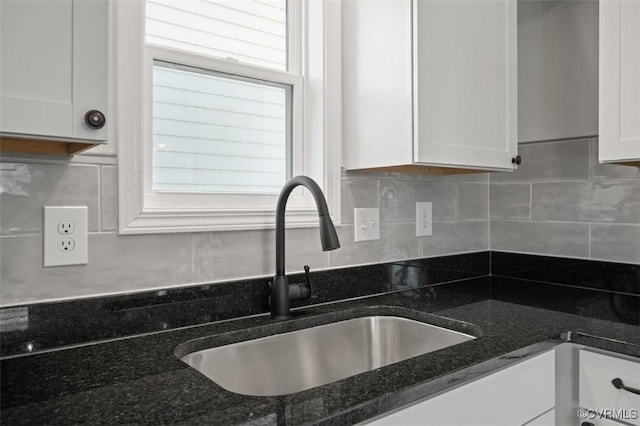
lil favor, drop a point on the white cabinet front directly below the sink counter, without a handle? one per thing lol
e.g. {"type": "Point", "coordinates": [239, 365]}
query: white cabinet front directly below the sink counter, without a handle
{"type": "Point", "coordinates": [518, 395]}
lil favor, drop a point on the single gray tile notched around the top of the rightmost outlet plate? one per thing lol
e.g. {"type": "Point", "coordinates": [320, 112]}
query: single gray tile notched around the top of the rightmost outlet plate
{"type": "Point", "coordinates": [398, 199]}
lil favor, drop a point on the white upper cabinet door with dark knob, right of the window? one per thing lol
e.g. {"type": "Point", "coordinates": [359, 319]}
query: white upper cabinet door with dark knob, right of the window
{"type": "Point", "coordinates": [465, 82]}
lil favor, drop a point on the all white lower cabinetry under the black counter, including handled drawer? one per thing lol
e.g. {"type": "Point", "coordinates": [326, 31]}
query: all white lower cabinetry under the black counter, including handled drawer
{"type": "Point", "coordinates": [571, 385]}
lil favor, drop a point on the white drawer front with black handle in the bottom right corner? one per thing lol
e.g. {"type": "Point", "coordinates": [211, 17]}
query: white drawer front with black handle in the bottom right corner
{"type": "Point", "coordinates": [598, 393]}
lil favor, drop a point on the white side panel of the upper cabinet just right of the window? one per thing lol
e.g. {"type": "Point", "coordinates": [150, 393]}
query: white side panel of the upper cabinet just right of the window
{"type": "Point", "coordinates": [377, 88]}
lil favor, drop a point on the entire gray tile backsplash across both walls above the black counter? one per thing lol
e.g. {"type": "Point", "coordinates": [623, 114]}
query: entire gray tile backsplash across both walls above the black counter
{"type": "Point", "coordinates": [561, 202]}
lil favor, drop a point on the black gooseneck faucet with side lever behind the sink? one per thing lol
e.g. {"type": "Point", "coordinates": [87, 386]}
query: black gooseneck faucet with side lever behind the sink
{"type": "Point", "coordinates": [281, 292]}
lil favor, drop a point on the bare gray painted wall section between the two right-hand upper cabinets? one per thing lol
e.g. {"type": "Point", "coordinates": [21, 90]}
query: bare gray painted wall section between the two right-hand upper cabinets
{"type": "Point", "coordinates": [557, 69]}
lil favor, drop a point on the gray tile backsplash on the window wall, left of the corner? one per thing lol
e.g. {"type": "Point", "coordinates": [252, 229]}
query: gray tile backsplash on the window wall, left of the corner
{"type": "Point", "coordinates": [141, 262]}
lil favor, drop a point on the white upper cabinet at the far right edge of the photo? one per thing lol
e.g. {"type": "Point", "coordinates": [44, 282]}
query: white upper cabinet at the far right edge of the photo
{"type": "Point", "coordinates": [619, 90]}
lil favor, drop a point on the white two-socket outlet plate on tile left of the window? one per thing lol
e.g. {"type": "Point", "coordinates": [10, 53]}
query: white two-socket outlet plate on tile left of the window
{"type": "Point", "coordinates": [53, 216]}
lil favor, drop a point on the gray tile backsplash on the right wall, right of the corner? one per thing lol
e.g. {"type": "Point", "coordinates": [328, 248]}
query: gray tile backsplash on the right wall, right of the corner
{"type": "Point", "coordinates": [563, 202]}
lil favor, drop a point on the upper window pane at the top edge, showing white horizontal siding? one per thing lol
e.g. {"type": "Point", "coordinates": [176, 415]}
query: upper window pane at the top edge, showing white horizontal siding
{"type": "Point", "coordinates": [250, 31]}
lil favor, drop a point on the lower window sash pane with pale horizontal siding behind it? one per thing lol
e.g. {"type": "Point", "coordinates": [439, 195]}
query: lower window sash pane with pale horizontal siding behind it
{"type": "Point", "coordinates": [218, 133]}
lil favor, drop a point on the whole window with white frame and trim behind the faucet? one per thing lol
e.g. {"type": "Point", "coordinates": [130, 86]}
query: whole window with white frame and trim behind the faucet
{"type": "Point", "coordinates": [219, 103]}
